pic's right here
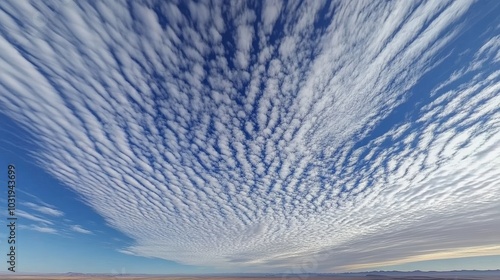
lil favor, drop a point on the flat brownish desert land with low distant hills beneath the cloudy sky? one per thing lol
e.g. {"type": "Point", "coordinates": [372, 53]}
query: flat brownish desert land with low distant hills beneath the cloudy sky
{"type": "Point", "coordinates": [371, 275]}
